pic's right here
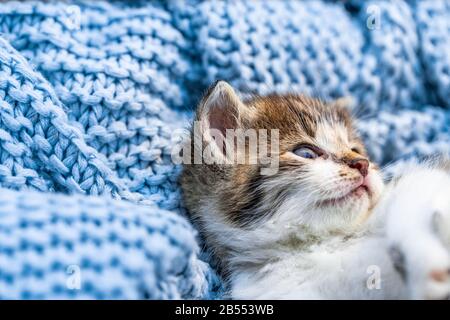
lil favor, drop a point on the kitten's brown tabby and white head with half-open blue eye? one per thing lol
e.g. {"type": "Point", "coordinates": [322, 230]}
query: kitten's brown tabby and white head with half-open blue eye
{"type": "Point", "coordinates": [324, 183]}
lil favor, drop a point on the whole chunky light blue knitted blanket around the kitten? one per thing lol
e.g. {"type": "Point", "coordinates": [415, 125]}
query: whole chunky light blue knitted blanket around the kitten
{"type": "Point", "coordinates": [91, 92]}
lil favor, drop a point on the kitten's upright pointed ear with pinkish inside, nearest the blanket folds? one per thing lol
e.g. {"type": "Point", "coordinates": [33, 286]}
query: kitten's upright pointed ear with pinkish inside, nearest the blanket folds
{"type": "Point", "coordinates": [220, 109]}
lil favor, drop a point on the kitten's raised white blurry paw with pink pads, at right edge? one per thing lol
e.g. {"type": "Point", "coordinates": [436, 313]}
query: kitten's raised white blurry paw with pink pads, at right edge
{"type": "Point", "coordinates": [419, 233]}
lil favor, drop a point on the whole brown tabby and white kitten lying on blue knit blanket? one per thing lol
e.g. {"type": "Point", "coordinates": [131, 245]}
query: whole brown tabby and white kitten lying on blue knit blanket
{"type": "Point", "coordinates": [323, 225]}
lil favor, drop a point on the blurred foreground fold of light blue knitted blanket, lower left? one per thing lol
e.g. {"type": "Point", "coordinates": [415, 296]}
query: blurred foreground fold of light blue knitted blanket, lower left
{"type": "Point", "coordinates": [121, 250]}
